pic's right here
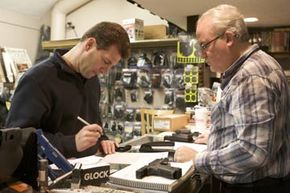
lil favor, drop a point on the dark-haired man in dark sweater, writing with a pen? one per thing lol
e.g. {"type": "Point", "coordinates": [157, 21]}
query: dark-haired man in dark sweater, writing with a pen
{"type": "Point", "coordinates": [52, 94]}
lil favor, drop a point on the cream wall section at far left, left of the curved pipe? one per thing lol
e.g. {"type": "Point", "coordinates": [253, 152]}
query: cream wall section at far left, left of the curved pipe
{"type": "Point", "coordinates": [21, 31]}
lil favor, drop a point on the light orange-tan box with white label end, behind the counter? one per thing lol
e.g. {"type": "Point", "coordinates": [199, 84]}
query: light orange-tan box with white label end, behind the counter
{"type": "Point", "coordinates": [170, 122]}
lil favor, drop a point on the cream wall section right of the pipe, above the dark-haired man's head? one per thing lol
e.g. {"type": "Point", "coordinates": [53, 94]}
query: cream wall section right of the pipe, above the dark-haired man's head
{"type": "Point", "coordinates": [107, 10]}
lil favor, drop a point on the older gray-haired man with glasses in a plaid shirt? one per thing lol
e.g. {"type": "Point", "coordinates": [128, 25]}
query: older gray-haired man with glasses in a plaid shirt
{"type": "Point", "coordinates": [249, 140]}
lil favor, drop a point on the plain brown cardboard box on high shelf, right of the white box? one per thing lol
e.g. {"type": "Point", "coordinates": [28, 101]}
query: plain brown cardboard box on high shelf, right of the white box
{"type": "Point", "coordinates": [155, 32]}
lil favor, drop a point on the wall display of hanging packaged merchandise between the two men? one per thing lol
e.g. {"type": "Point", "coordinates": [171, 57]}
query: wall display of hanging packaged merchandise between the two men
{"type": "Point", "coordinates": [154, 78]}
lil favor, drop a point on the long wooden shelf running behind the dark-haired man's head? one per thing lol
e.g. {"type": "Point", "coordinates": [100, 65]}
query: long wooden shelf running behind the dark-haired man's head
{"type": "Point", "coordinates": [67, 44]}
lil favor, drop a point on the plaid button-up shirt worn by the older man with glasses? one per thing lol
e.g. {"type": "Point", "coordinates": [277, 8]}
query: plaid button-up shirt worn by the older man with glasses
{"type": "Point", "coordinates": [250, 134]}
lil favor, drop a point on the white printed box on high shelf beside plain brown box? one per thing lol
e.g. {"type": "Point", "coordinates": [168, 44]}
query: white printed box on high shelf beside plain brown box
{"type": "Point", "coordinates": [134, 28]}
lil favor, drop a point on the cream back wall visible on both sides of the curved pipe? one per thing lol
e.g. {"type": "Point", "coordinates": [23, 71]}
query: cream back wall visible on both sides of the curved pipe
{"type": "Point", "coordinates": [22, 31]}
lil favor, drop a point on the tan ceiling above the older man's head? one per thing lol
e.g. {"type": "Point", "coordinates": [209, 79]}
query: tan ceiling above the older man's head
{"type": "Point", "coordinates": [269, 12]}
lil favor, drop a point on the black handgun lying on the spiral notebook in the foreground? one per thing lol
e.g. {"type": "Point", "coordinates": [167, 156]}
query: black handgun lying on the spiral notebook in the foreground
{"type": "Point", "coordinates": [159, 167]}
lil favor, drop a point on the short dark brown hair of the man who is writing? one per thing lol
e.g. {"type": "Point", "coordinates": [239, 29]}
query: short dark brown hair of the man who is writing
{"type": "Point", "coordinates": [108, 34]}
